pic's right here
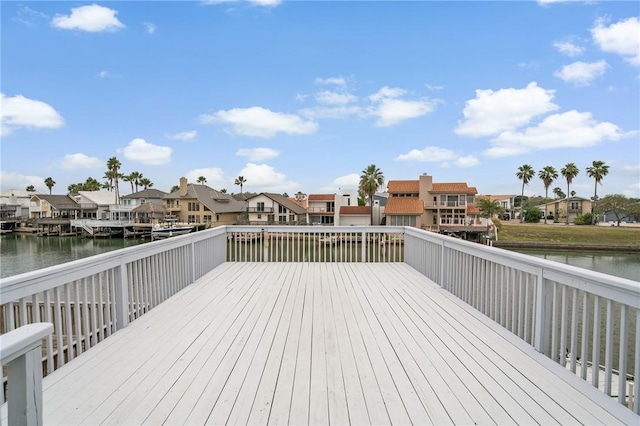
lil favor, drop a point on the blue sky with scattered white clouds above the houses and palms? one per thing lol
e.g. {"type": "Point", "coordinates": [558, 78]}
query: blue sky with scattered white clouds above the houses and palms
{"type": "Point", "coordinates": [302, 96]}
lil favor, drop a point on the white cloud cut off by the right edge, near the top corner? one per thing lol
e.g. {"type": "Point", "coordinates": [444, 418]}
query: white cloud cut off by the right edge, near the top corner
{"type": "Point", "coordinates": [621, 38]}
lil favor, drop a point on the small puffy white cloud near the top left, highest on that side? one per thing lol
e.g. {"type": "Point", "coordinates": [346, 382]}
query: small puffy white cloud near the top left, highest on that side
{"type": "Point", "coordinates": [92, 18]}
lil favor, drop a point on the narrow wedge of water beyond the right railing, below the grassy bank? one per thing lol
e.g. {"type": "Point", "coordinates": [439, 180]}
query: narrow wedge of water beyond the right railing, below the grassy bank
{"type": "Point", "coordinates": [625, 265]}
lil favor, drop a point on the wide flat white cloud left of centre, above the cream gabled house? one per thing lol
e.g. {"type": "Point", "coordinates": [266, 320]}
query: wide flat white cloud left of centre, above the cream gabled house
{"type": "Point", "coordinates": [261, 122]}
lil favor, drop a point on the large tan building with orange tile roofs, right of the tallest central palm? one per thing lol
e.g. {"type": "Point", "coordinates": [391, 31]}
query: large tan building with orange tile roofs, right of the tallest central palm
{"type": "Point", "coordinates": [425, 204]}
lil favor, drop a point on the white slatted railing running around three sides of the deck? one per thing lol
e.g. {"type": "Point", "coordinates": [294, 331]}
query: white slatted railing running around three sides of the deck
{"type": "Point", "coordinates": [558, 309]}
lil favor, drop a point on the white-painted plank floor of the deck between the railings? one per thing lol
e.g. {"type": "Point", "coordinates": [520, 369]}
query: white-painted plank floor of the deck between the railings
{"type": "Point", "coordinates": [317, 343]}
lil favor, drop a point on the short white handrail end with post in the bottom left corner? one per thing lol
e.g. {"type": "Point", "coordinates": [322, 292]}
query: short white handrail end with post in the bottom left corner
{"type": "Point", "coordinates": [21, 351]}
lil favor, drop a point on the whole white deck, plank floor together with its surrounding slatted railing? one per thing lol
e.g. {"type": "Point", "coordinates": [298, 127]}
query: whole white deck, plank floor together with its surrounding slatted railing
{"type": "Point", "coordinates": [329, 325]}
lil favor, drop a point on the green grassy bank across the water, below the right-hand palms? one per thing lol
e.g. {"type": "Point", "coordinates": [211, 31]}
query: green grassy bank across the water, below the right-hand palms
{"type": "Point", "coordinates": [557, 234]}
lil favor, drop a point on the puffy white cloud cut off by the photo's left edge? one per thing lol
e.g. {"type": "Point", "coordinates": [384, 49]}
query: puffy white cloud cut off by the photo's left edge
{"type": "Point", "coordinates": [18, 111]}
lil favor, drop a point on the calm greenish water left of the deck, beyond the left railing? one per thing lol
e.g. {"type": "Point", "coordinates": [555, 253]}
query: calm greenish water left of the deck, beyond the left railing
{"type": "Point", "coordinates": [23, 253]}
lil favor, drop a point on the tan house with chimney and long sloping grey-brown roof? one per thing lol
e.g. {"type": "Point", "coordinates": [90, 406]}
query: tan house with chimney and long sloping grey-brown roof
{"type": "Point", "coordinates": [195, 203]}
